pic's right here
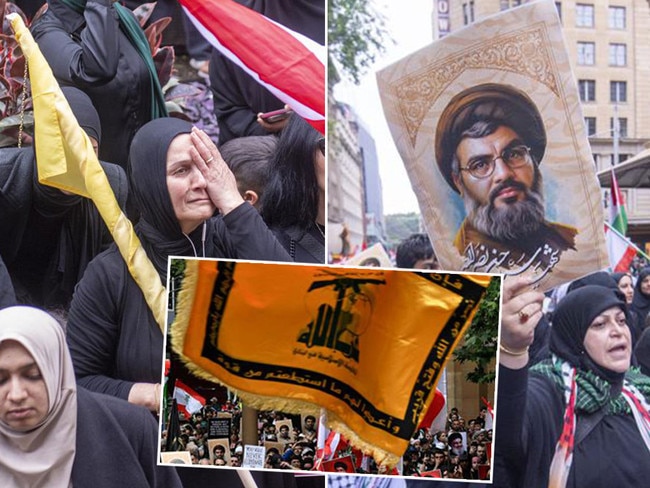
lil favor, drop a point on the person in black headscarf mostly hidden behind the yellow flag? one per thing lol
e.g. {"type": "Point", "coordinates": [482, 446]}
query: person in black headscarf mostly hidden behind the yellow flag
{"type": "Point", "coordinates": [50, 236]}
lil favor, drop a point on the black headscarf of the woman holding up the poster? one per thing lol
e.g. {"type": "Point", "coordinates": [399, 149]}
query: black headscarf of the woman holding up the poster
{"type": "Point", "coordinates": [571, 320]}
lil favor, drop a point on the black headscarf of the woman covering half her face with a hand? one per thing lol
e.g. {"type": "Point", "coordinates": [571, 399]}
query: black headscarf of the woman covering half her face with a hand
{"type": "Point", "coordinates": [158, 228]}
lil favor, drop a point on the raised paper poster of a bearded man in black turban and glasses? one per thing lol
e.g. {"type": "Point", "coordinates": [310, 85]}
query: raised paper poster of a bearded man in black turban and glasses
{"type": "Point", "coordinates": [488, 123]}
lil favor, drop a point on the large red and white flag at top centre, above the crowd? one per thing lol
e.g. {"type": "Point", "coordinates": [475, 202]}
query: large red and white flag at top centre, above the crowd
{"type": "Point", "coordinates": [288, 64]}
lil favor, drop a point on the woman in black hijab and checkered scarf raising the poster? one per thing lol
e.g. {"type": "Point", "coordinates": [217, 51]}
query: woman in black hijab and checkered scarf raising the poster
{"type": "Point", "coordinates": [589, 374]}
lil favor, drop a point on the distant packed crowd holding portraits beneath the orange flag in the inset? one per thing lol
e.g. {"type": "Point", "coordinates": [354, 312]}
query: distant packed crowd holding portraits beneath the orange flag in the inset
{"type": "Point", "coordinates": [461, 451]}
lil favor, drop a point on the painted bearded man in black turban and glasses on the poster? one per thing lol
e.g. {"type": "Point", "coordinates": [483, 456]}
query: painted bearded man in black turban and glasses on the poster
{"type": "Point", "coordinates": [490, 141]}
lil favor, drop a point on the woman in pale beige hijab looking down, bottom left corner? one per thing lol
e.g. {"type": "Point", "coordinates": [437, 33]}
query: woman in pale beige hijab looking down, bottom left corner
{"type": "Point", "coordinates": [57, 435]}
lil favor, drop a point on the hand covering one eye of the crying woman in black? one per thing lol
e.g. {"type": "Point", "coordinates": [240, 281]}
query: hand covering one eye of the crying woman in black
{"type": "Point", "coordinates": [221, 183]}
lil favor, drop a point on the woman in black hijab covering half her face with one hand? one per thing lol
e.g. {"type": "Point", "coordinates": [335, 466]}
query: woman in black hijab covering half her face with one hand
{"type": "Point", "coordinates": [178, 180]}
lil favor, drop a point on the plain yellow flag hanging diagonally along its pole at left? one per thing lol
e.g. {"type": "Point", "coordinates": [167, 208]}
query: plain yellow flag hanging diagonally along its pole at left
{"type": "Point", "coordinates": [66, 160]}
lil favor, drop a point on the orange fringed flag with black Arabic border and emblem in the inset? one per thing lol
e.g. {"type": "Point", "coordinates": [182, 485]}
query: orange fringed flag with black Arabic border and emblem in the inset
{"type": "Point", "coordinates": [367, 345]}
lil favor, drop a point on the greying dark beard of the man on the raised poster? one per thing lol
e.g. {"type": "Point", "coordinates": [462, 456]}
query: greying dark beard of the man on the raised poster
{"type": "Point", "coordinates": [516, 221]}
